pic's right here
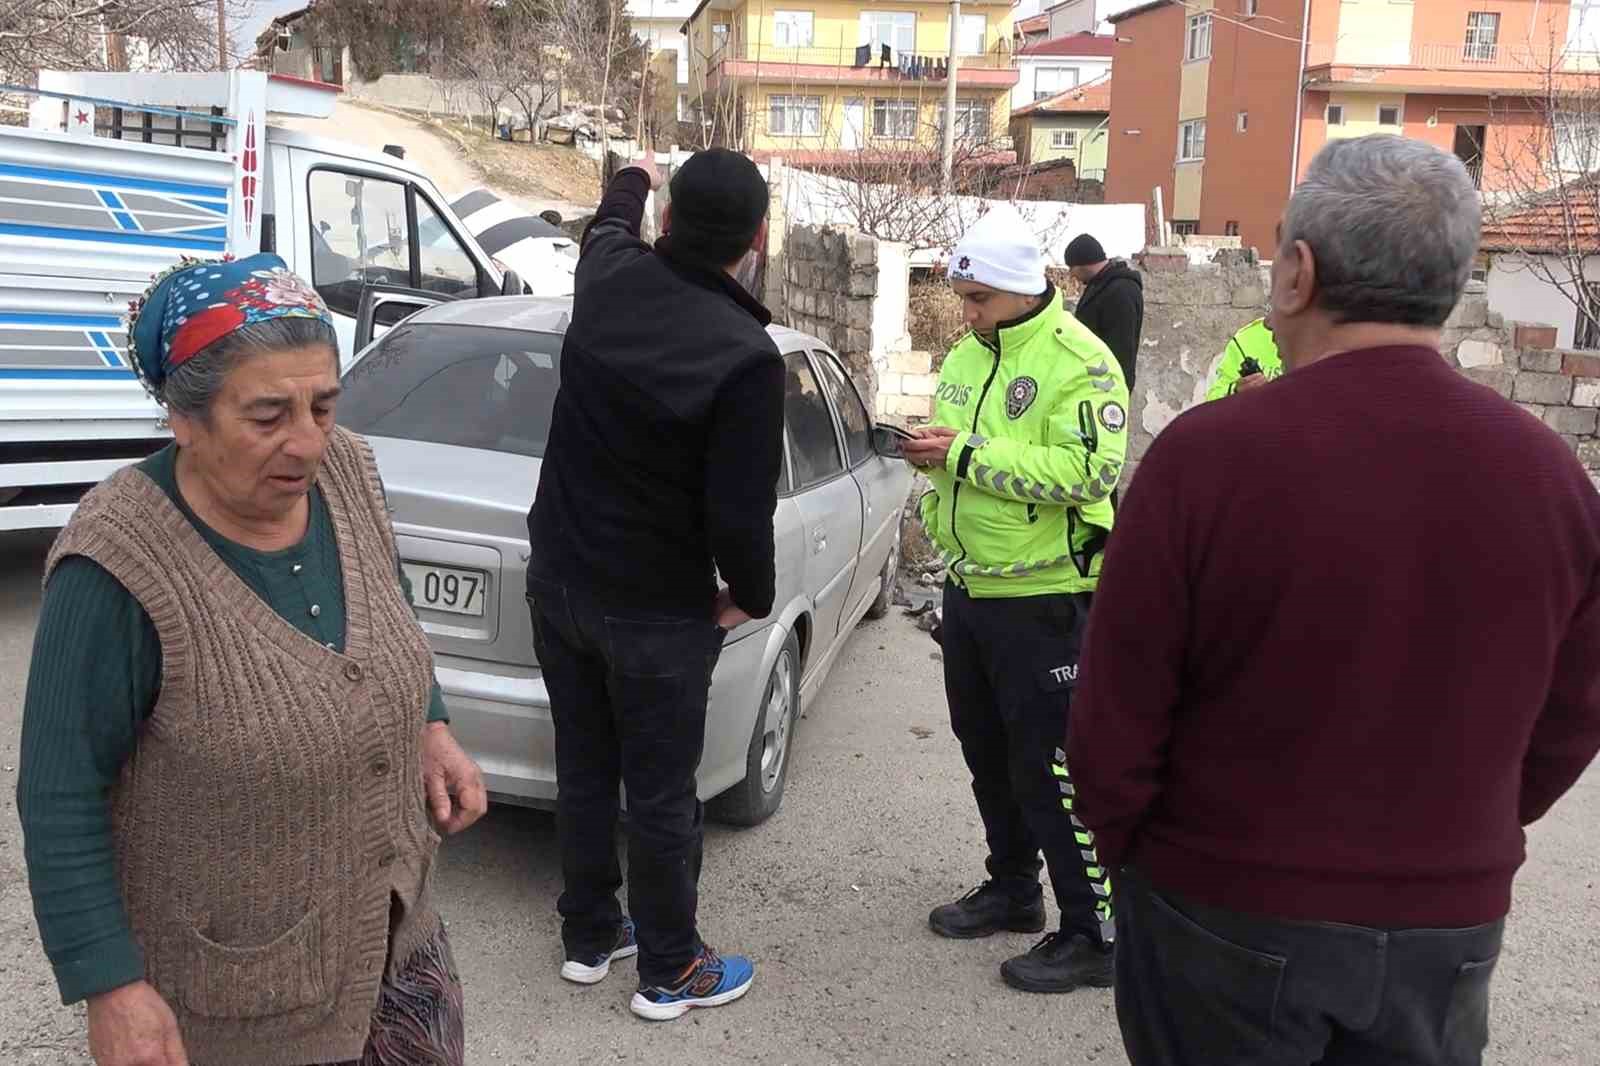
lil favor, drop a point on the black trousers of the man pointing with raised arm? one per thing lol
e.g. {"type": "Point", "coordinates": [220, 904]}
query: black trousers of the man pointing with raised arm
{"type": "Point", "coordinates": [628, 697]}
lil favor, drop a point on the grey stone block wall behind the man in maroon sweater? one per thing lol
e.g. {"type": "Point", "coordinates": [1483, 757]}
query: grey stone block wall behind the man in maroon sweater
{"type": "Point", "coordinates": [1191, 311]}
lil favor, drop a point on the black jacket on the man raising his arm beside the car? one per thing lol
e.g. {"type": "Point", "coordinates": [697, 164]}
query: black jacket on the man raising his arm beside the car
{"type": "Point", "coordinates": [666, 438]}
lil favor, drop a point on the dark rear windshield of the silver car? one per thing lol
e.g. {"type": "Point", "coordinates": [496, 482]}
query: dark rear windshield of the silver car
{"type": "Point", "coordinates": [457, 385]}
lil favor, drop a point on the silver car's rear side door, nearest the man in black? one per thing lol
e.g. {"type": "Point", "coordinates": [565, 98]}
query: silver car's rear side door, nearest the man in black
{"type": "Point", "coordinates": [826, 495]}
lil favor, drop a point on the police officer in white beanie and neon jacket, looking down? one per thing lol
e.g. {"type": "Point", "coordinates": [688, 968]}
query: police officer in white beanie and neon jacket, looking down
{"type": "Point", "coordinates": [1025, 451]}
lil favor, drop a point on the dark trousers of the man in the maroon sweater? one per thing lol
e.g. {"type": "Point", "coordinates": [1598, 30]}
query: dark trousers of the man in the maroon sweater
{"type": "Point", "coordinates": [1201, 987]}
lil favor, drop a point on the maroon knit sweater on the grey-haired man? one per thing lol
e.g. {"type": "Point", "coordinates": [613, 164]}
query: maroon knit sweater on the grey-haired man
{"type": "Point", "coordinates": [1345, 649]}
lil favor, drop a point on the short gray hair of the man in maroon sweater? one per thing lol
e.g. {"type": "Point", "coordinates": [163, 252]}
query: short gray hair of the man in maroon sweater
{"type": "Point", "coordinates": [1394, 228]}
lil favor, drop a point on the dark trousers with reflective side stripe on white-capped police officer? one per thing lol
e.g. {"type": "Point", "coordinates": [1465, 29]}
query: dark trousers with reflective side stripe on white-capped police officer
{"type": "Point", "coordinates": [1010, 667]}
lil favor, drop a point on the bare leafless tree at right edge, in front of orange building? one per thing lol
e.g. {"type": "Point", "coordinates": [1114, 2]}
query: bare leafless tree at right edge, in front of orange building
{"type": "Point", "coordinates": [1542, 177]}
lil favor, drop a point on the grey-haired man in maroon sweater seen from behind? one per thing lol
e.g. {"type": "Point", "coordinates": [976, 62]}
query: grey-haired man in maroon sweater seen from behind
{"type": "Point", "coordinates": [1324, 691]}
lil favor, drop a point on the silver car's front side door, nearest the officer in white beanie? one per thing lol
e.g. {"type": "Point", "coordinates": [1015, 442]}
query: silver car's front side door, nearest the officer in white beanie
{"type": "Point", "coordinates": [882, 481]}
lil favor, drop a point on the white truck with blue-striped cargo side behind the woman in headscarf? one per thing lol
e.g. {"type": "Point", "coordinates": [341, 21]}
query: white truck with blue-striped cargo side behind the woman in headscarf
{"type": "Point", "coordinates": [119, 175]}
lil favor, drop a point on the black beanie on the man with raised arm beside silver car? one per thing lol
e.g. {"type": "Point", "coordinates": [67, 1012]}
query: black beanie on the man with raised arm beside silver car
{"type": "Point", "coordinates": [719, 201]}
